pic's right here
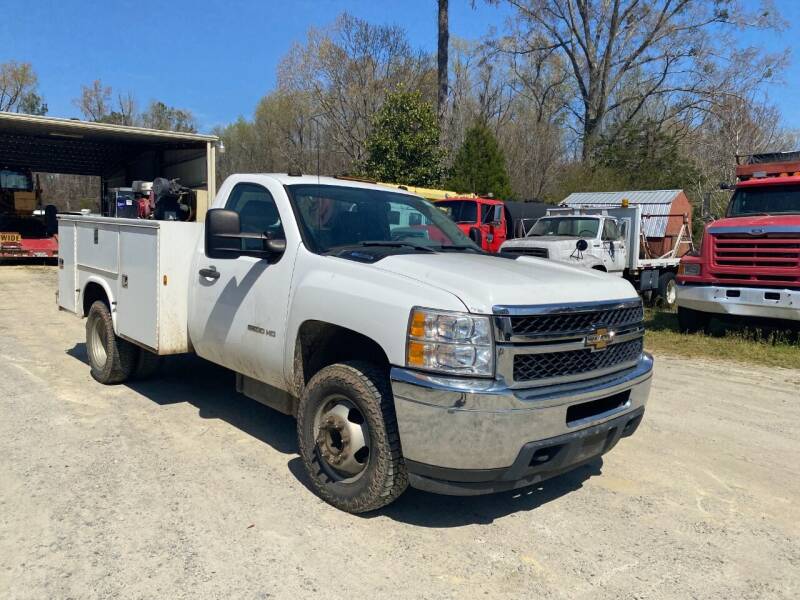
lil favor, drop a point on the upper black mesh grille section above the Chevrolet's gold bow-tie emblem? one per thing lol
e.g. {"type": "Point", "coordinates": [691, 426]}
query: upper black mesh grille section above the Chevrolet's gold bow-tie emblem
{"type": "Point", "coordinates": [565, 323]}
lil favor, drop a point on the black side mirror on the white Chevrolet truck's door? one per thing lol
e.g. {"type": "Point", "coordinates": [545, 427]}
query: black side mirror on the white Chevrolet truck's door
{"type": "Point", "coordinates": [224, 235]}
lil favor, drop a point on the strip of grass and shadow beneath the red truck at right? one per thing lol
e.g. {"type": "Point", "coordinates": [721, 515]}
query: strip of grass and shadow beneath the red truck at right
{"type": "Point", "coordinates": [763, 344]}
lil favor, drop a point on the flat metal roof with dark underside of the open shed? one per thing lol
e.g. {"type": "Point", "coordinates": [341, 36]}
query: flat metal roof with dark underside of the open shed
{"type": "Point", "coordinates": [117, 154]}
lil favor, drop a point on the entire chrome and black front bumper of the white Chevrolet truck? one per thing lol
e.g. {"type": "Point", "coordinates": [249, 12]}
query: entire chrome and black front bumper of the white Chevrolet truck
{"type": "Point", "coordinates": [469, 437]}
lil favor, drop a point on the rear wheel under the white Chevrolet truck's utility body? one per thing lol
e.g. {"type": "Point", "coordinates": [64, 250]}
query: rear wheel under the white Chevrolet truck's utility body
{"type": "Point", "coordinates": [111, 358]}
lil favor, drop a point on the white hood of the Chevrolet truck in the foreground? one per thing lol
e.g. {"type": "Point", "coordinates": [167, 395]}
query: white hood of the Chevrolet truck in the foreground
{"type": "Point", "coordinates": [482, 281]}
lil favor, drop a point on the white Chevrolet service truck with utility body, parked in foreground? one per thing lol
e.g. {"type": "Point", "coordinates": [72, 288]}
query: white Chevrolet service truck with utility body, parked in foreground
{"type": "Point", "coordinates": [406, 357]}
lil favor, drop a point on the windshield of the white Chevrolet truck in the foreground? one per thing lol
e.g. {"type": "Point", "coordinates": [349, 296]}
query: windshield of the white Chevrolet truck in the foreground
{"type": "Point", "coordinates": [337, 217]}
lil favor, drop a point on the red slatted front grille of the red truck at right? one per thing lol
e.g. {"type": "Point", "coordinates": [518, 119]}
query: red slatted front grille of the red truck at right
{"type": "Point", "coordinates": [756, 259]}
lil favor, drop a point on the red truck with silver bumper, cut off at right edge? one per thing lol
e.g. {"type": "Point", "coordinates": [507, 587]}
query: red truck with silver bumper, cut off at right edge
{"type": "Point", "coordinates": [749, 262]}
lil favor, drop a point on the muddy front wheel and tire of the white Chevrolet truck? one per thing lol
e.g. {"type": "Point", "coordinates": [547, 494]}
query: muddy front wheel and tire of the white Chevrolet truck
{"type": "Point", "coordinates": [348, 437]}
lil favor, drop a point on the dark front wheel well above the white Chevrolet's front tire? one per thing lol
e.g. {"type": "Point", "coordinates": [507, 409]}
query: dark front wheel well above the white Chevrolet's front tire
{"type": "Point", "coordinates": [320, 344]}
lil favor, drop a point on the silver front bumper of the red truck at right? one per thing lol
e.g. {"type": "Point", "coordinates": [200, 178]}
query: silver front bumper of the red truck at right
{"type": "Point", "coordinates": [770, 303]}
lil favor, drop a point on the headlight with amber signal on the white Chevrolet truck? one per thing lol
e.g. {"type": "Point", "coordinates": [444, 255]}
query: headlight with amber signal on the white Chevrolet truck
{"type": "Point", "coordinates": [450, 342]}
